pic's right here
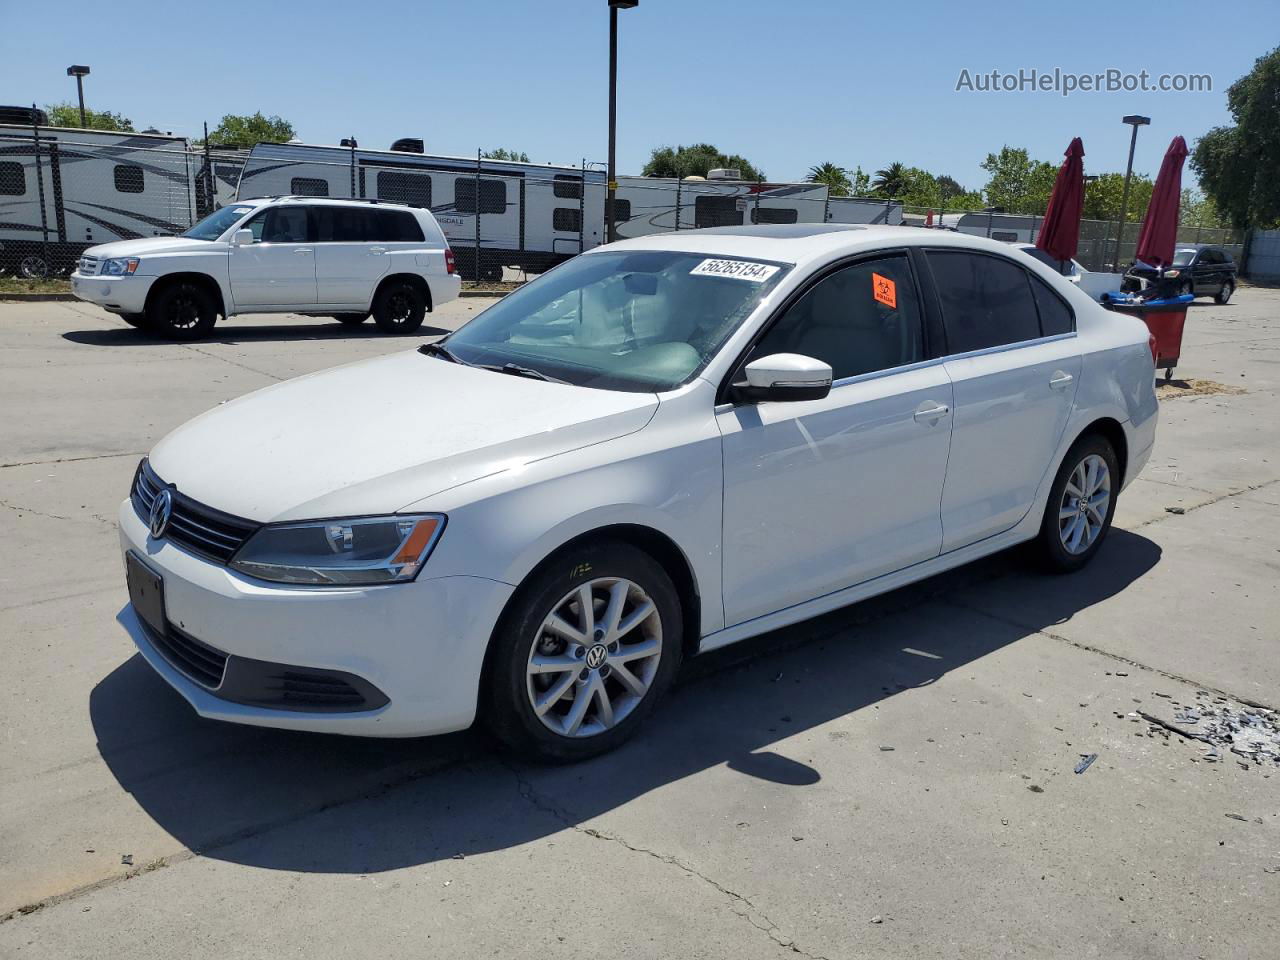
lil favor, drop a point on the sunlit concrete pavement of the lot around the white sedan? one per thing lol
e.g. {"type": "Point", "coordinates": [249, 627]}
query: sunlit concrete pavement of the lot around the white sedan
{"type": "Point", "coordinates": [760, 815]}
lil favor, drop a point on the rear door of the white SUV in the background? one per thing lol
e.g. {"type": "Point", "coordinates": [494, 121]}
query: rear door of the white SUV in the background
{"type": "Point", "coordinates": [353, 248]}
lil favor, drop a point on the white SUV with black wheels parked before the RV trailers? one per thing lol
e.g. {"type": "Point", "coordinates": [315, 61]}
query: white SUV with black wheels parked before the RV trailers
{"type": "Point", "coordinates": [345, 259]}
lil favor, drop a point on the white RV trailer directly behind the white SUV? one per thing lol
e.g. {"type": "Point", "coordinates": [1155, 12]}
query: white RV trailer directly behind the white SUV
{"type": "Point", "coordinates": [531, 216]}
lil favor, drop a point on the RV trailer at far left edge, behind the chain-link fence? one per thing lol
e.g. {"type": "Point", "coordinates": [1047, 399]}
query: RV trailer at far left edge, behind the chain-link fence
{"type": "Point", "coordinates": [79, 189]}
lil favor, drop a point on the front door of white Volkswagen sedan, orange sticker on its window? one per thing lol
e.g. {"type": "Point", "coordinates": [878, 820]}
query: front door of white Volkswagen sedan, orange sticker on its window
{"type": "Point", "coordinates": [825, 495]}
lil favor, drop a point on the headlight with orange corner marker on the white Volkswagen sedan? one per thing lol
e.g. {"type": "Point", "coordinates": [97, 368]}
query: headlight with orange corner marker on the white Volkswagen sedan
{"type": "Point", "coordinates": [341, 552]}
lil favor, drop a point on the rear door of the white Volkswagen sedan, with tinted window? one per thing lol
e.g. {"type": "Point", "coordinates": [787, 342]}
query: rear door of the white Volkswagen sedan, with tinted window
{"type": "Point", "coordinates": [1014, 360]}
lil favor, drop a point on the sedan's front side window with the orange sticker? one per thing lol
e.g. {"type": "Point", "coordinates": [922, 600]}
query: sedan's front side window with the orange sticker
{"type": "Point", "coordinates": [861, 319]}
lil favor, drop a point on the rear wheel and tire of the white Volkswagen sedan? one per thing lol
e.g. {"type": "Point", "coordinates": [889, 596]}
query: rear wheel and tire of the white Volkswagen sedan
{"type": "Point", "coordinates": [1081, 505]}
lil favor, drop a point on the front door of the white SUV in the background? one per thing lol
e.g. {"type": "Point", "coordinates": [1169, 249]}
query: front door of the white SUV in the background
{"type": "Point", "coordinates": [280, 268]}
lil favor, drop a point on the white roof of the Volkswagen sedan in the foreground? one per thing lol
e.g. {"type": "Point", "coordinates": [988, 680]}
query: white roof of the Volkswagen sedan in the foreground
{"type": "Point", "coordinates": [803, 244]}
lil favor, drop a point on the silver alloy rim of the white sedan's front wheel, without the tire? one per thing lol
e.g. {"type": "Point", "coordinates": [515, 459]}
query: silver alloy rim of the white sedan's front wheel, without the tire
{"type": "Point", "coordinates": [596, 657]}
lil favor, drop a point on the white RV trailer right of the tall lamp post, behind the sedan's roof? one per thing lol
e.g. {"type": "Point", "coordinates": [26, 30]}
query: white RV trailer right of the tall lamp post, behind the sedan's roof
{"type": "Point", "coordinates": [648, 205]}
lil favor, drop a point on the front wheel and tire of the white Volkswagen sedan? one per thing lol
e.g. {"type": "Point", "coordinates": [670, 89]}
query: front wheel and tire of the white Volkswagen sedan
{"type": "Point", "coordinates": [586, 651]}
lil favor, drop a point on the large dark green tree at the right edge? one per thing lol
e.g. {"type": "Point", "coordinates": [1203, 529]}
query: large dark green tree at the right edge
{"type": "Point", "coordinates": [1240, 167]}
